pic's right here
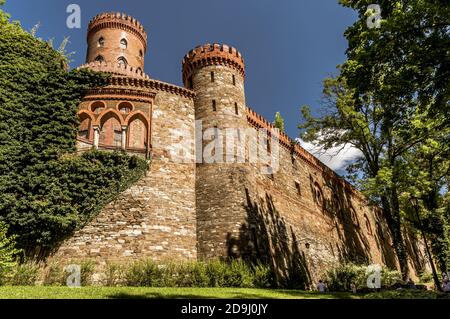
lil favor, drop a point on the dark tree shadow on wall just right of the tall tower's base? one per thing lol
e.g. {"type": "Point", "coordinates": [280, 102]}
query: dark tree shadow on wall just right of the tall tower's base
{"type": "Point", "coordinates": [266, 238]}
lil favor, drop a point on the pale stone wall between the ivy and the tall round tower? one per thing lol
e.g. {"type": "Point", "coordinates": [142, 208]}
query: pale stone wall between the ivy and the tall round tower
{"type": "Point", "coordinates": [156, 217]}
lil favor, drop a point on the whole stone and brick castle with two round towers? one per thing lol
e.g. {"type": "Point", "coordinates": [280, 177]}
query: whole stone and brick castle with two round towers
{"type": "Point", "coordinates": [301, 217]}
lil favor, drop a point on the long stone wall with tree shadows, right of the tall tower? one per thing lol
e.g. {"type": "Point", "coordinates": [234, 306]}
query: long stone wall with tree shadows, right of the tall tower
{"type": "Point", "coordinates": [303, 219]}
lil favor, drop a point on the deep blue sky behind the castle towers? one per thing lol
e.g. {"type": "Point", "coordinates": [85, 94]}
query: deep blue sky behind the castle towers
{"type": "Point", "coordinates": [289, 46]}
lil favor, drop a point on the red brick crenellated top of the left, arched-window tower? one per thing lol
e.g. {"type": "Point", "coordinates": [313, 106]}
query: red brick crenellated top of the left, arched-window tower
{"type": "Point", "coordinates": [117, 20]}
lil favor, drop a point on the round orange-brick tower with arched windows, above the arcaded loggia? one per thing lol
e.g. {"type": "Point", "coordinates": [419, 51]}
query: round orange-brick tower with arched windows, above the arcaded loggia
{"type": "Point", "coordinates": [116, 38]}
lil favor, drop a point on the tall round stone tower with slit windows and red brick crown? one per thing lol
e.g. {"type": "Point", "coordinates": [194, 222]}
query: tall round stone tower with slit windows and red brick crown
{"type": "Point", "coordinates": [216, 74]}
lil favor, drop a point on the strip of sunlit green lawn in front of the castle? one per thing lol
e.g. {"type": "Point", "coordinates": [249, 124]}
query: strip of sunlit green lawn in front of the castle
{"type": "Point", "coordinates": [41, 292]}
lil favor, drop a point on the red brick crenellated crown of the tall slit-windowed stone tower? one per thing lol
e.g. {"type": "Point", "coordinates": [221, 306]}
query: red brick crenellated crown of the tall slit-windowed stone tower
{"type": "Point", "coordinates": [212, 54]}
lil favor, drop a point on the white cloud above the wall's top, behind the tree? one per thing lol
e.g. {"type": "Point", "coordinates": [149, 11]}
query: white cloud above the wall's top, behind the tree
{"type": "Point", "coordinates": [336, 158]}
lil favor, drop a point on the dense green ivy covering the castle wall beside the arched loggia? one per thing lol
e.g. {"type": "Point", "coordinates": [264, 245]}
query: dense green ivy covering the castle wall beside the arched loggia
{"type": "Point", "coordinates": [46, 190]}
